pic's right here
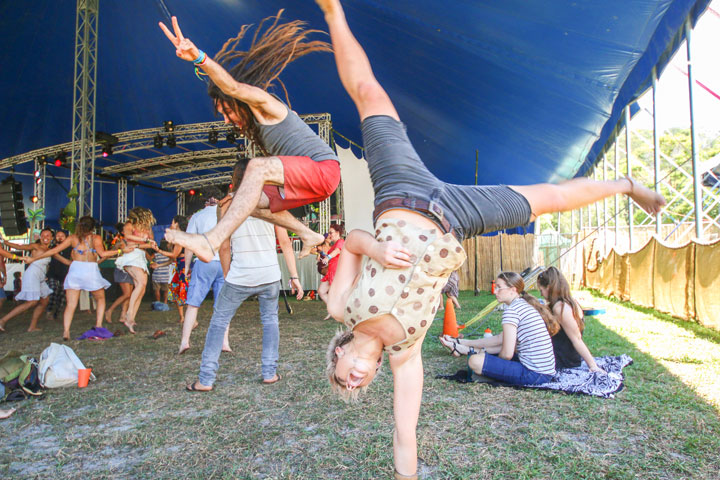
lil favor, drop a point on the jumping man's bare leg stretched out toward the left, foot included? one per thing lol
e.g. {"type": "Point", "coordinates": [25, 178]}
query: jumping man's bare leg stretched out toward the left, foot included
{"type": "Point", "coordinates": [260, 171]}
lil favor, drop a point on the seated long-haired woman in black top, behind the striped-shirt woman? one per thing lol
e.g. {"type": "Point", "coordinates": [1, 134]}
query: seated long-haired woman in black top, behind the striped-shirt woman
{"type": "Point", "coordinates": [567, 342]}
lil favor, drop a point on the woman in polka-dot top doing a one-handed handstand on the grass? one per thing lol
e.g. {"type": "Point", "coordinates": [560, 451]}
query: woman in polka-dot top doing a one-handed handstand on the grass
{"type": "Point", "coordinates": [387, 285]}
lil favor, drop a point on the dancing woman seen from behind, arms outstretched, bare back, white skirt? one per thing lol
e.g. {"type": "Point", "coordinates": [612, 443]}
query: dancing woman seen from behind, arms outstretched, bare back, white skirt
{"type": "Point", "coordinates": [84, 272]}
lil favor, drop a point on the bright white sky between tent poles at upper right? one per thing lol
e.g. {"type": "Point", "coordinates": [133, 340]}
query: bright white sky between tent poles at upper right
{"type": "Point", "coordinates": [672, 95]}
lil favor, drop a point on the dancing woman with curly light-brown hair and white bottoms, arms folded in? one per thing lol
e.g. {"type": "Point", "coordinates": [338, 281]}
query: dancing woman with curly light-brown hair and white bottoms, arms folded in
{"type": "Point", "coordinates": [138, 233]}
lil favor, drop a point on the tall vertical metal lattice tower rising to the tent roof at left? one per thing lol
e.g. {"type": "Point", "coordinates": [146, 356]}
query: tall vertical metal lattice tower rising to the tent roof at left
{"type": "Point", "coordinates": [82, 160]}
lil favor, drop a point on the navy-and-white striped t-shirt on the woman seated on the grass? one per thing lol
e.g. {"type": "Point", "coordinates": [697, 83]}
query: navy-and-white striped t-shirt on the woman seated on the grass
{"type": "Point", "coordinates": [534, 347]}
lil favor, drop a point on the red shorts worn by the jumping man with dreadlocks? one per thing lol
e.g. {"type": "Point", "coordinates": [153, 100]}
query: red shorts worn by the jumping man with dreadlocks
{"type": "Point", "coordinates": [306, 181]}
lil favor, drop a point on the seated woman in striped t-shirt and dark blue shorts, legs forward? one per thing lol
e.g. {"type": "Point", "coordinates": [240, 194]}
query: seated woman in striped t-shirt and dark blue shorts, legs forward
{"type": "Point", "coordinates": [523, 353]}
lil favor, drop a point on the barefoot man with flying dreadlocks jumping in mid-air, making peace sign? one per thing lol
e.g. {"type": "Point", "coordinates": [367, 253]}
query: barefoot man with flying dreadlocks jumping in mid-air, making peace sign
{"type": "Point", "coordinates": [304, 170]}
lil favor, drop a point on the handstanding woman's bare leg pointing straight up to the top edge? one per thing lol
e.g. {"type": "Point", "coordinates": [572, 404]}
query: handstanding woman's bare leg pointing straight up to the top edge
{"type": "Point", "coordinates": [354, 67]}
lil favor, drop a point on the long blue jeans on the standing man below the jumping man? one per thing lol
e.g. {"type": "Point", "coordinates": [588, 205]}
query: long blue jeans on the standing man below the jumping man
{"type": "Point", "coordinates": [228, 300]}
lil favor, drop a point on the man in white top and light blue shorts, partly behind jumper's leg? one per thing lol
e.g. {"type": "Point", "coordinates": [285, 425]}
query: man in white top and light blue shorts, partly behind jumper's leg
{"type": "Point", "coordinates": [205, 275]}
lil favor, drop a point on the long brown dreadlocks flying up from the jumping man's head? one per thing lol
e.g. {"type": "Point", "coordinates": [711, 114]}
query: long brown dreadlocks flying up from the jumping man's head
{"type": "Point", "coordinates": [270, 52]}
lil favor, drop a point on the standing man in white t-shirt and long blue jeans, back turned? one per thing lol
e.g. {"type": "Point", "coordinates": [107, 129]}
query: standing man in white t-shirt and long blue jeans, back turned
{"type": "Point", "coordinates": [249, 259]}
